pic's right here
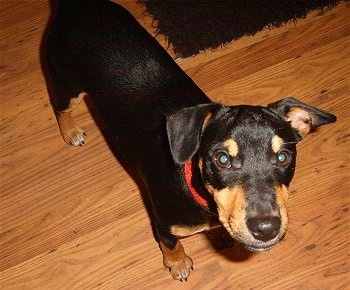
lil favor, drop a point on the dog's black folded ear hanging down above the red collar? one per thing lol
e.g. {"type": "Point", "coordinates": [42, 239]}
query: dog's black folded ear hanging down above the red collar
{"type": "Point", "coordinates": [184, 129]}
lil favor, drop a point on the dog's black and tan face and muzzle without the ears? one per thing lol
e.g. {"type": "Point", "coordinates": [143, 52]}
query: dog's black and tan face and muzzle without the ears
{"type": "Point", "coordinates": [247, 159]}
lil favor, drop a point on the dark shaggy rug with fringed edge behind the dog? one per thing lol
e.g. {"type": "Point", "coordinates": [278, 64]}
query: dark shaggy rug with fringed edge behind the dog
{"type": "Point", "coordinates": [192, 26]}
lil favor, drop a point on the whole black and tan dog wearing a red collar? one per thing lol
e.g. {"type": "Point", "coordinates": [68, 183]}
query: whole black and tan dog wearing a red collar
{"type": "Point", "coordinates": [202, 163]}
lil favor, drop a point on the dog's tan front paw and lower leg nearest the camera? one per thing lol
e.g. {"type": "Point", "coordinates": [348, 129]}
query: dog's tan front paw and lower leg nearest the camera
{"type": "Point", "coordinates": [174, 257]}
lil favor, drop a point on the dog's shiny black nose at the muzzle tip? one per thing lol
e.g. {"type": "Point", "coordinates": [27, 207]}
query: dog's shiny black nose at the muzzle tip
{"type": "Point", "coordinates": [264, 228]}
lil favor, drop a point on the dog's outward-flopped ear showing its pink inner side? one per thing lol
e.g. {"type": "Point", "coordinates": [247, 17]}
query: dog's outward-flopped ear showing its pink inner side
{"type": "Point", "coordinates": [302, 117]}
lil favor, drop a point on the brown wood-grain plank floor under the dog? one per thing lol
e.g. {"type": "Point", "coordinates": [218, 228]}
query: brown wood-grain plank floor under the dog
{"type": "Point", "coordinates": [71, 218]}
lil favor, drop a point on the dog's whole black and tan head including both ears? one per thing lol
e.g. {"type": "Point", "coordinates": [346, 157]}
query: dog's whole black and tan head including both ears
{"type": "Point", "coordinates": [246, 157]}
